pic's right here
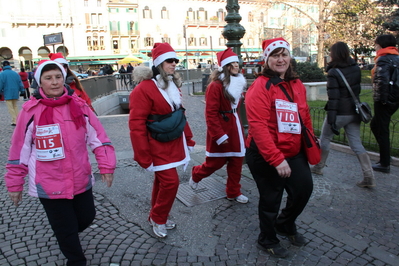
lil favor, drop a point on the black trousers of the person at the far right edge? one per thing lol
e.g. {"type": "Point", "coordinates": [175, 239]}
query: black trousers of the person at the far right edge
{"type": "Point", "coordinates": [380, 127]}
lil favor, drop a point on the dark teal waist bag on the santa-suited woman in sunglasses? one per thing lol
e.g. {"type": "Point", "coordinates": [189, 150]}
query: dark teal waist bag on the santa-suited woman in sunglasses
{"type": "Point", "coordinates": [167, 127]}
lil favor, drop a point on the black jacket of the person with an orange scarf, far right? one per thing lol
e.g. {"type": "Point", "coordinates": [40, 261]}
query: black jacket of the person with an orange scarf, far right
{"type": "Point", "coordinates": [384, 68]}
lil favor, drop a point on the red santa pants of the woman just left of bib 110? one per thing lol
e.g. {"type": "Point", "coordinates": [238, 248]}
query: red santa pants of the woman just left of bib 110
{"type": "Point", "coordinates": [211, 164]}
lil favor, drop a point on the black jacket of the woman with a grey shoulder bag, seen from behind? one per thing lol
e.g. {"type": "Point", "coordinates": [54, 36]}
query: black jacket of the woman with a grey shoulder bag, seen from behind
{"type": "Point", "coordinates": [340, 101]}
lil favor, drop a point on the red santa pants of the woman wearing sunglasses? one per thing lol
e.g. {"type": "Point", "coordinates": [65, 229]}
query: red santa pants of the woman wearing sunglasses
{"type": "Point", "coordinates": [164, 190]}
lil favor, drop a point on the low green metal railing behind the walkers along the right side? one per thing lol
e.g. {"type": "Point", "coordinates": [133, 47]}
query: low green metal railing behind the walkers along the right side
{"type": "Point", "coordinates": [318, 115]}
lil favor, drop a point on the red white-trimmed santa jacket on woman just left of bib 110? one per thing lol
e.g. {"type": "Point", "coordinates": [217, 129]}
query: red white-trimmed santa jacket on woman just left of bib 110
{"type": "Point", "coordinates": [222, 126]}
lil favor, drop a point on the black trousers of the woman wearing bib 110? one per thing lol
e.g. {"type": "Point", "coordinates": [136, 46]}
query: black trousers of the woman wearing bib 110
{"type": "Point", "coordinates": [299, 187]}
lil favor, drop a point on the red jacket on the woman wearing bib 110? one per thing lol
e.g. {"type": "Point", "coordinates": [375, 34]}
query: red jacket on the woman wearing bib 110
{"type": "Point", "coordinates": [262, 118]}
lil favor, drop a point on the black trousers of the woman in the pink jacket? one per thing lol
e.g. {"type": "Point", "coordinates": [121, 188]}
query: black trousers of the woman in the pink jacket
{"type": "Point", "coordinates": [67, 217]}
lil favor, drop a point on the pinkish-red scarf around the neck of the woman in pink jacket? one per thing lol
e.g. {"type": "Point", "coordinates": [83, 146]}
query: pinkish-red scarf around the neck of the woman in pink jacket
{"type": "Point", "coordinates": [46, 117]}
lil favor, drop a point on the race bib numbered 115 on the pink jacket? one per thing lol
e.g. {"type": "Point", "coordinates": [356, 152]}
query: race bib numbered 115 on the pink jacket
{"type": "Point", "coordinates": [48, 142]}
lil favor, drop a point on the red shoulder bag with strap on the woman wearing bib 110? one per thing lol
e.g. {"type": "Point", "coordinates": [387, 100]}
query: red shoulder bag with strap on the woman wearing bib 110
{"type": "Point", "coordinates": [310, 142]}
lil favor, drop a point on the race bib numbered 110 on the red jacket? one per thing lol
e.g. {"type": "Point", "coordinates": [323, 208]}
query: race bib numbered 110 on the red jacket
{"type": "Point", "coordinates": [287, 117]}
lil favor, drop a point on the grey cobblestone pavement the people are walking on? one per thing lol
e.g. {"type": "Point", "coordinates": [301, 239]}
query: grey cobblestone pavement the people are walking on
{"type": "Point", "coordinates": [344, 224]}
